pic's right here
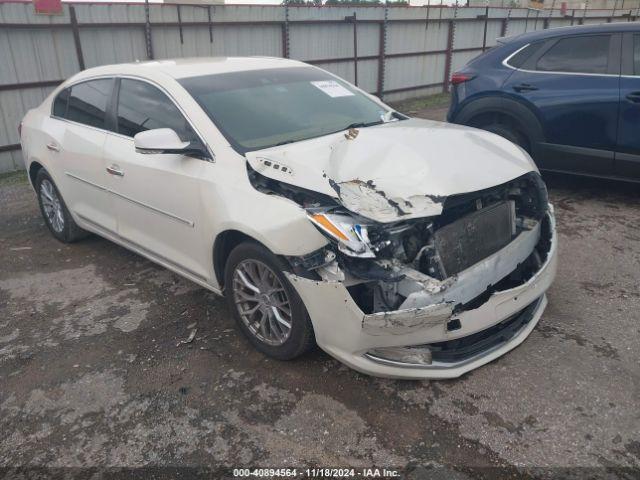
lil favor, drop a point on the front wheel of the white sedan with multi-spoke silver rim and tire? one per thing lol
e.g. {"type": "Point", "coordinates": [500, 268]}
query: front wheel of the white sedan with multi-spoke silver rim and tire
{"type": "Point", "coordinates": [252, 267]}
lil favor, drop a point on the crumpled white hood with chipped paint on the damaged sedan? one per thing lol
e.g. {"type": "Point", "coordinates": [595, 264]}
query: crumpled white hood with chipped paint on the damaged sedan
{"type": "Point", "coordinates": [396, 171]}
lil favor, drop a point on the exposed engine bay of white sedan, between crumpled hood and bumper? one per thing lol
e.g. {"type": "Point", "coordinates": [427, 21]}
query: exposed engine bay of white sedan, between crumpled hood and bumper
{"type": "Point", "coordinates": [448, 258]}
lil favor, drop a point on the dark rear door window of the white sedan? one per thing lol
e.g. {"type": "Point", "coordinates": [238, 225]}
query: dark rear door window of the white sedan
{"type": "Point", "coordinates": [88, 102]}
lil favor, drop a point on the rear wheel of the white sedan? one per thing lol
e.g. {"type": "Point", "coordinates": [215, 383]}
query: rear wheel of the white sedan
{"type": "Point", "coordinates": [55, 212]}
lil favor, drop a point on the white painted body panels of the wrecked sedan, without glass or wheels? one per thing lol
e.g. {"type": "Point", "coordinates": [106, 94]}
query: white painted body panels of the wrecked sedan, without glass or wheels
{"type": "Point", "coordinates": [171, 208]}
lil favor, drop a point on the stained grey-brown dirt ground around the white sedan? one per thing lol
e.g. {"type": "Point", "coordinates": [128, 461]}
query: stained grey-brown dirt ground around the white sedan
{"type": "Point", "coordinates": [91, 374]}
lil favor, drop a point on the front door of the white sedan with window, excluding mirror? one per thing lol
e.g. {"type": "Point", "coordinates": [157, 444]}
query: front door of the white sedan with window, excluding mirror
{"type": "Point", "coordinates": [156, 196]}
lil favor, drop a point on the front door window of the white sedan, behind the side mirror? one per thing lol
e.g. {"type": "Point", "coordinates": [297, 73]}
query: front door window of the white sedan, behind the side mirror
{"type": "Point", "coordinates": [144, 107]}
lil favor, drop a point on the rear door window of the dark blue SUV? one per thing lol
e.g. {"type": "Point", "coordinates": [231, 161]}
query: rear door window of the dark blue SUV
{"type": "Point", "coordinates": [588, 54]}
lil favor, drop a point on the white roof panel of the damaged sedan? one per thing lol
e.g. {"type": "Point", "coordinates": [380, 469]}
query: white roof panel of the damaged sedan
{"type": "Point", "coordinates": [191, 67]}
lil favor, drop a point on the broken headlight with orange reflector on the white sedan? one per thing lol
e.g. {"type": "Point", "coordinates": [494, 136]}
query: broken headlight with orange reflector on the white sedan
{"type": "Point", "coordinates": [350, 235]}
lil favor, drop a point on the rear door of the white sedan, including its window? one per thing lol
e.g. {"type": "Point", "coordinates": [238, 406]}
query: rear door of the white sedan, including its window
{"type": "Point", "coordinates": [78, 134]}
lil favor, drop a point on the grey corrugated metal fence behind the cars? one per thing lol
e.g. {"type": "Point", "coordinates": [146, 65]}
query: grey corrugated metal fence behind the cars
{"type": "Point", "coordinates": [394, 52]}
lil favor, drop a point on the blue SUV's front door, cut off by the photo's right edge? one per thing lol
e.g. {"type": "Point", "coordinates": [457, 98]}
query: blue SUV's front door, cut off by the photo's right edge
{"type": "Point", "coordinates": [627, 162]}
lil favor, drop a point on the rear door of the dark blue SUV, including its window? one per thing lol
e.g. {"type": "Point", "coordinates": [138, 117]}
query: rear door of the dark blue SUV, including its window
{"type": "Point", "coordinates": [572, 83]}
